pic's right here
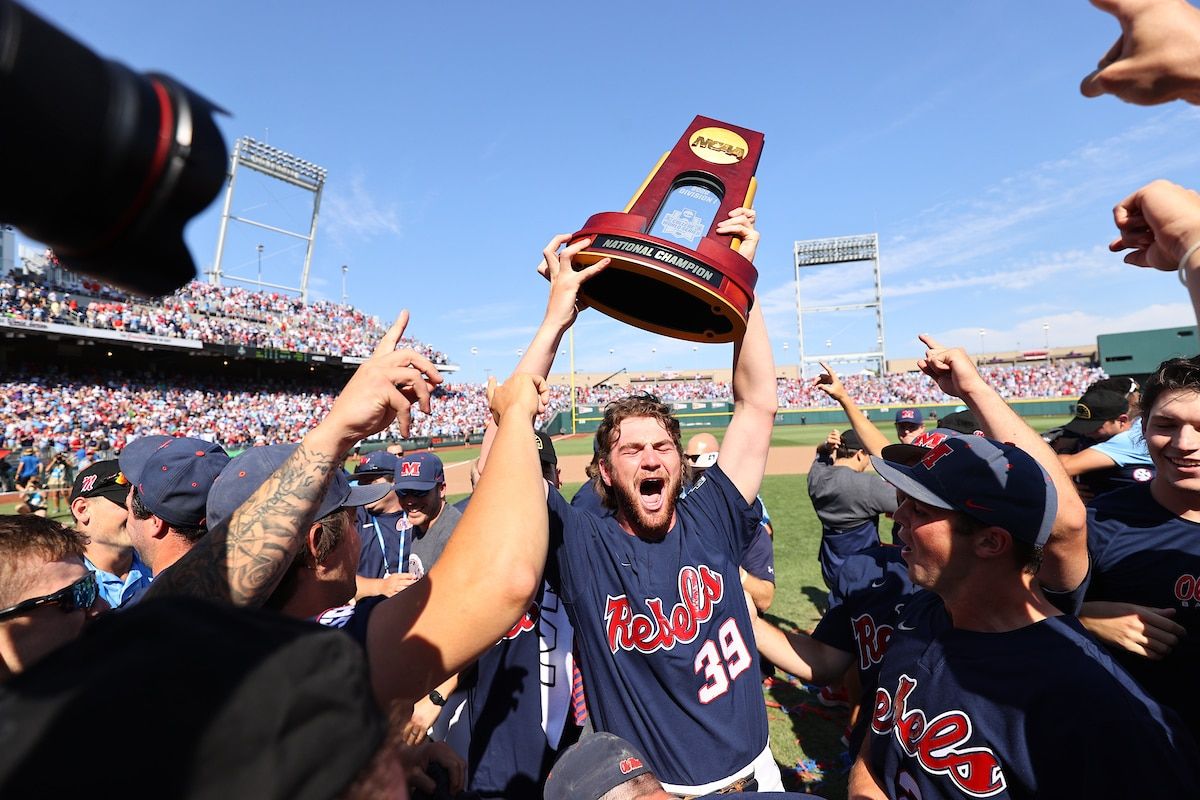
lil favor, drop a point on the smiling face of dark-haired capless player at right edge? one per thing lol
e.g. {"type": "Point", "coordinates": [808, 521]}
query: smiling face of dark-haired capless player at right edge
{"type": "Point", "coordinates": [1173, 436]}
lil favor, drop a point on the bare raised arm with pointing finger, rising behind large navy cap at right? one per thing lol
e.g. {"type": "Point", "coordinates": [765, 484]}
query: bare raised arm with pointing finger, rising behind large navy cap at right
{"type": "Point", "coordinates": [1065, 561]}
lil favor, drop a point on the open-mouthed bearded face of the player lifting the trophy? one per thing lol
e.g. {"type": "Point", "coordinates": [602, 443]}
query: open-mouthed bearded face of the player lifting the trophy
{"type": "Point", "coordinates": [645, 472]}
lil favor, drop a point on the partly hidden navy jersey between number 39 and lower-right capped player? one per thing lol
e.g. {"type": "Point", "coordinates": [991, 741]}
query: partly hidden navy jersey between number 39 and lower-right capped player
{"type": "Point", "coordinates": [866, 600]}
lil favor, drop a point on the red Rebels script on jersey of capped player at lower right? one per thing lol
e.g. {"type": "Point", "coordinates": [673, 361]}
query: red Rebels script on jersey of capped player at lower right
{"type": "Point", "coordinates": [938, 744]}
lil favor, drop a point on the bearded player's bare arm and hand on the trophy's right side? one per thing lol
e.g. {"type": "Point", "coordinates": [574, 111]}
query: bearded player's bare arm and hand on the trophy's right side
{"type": "Point", "coordinates": [743, 456]}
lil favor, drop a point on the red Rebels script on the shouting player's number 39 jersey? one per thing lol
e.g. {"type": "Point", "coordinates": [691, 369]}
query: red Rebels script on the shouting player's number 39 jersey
{"type": "Point", "coordinates": [700, 591]}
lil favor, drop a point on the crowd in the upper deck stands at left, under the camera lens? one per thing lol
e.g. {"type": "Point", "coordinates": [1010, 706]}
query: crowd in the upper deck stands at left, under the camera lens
{"type": "Point", "coordinates": [203, 312]}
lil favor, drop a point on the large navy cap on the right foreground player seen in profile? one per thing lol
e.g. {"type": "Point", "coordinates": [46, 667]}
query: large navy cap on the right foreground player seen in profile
{"type": "Point", "coordinates": [994, 483]}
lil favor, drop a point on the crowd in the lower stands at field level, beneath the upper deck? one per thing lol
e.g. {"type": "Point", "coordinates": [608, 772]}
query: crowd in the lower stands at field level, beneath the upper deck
{"type": "Point", "coordinates": [59, 411]}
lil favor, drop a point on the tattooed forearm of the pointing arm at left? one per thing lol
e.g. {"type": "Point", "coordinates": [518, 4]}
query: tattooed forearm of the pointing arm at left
{"type": "Point", "coordinates": [271, 528]}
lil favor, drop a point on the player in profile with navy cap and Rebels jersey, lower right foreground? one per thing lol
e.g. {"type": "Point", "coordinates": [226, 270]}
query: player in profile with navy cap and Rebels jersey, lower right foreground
{"type": "Point", "coordinates": [986, 690]}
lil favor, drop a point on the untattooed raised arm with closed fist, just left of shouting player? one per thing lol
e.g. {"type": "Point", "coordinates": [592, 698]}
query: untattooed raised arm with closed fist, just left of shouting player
{"type": "Point", "coordinates": [489, 573]}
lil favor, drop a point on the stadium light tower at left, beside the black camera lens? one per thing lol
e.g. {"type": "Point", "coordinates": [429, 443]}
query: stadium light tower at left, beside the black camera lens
{"type": "Point", "coordinates": [284, 167]}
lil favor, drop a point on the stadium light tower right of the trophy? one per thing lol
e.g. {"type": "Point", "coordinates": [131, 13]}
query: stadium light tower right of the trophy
{"type": "Point", "coordinates": [841, 250]}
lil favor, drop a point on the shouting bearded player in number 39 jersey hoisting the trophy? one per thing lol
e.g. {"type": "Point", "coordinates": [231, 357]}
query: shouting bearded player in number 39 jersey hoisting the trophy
{"type": "Point", "coordinates": [662, 628]}
